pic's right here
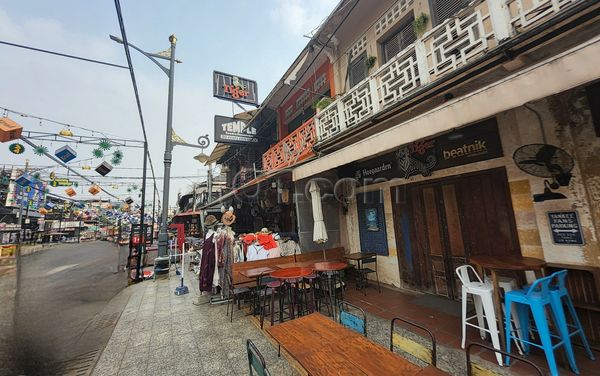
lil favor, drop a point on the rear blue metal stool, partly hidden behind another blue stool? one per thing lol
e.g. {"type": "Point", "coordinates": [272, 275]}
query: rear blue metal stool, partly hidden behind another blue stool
{"type": "Point", "coordinates": [559, 295]}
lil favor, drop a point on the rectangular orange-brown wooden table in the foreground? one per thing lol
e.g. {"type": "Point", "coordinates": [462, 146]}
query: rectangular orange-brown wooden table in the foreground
{"type": "Point", "coordinates": [324, 347]}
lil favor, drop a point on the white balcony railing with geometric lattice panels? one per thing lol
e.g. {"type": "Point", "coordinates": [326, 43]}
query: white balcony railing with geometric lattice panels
{"type": "Point", "coordinates": [459, 40]}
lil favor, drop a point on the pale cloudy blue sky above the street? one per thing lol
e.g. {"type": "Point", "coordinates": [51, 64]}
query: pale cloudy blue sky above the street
{"type": "Point", "coordinates": [256, 39]}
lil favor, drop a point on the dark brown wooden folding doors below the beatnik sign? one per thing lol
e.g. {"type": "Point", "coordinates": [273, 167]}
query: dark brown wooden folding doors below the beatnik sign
{"type": "Point", "coordinates": [439, 224]}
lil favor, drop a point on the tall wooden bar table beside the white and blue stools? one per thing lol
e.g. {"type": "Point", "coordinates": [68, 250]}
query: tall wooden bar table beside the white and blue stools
{"type": "Point", "coordinates": [505, 262]}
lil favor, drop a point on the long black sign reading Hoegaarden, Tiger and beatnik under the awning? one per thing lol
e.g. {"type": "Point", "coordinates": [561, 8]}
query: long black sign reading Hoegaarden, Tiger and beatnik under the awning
{"type": "Point", "coordinates": [475, 143]}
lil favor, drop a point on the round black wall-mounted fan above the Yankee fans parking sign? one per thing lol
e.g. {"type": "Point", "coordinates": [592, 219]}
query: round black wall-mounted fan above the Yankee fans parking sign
{"type": "Point", "coordinates": [545, 161]}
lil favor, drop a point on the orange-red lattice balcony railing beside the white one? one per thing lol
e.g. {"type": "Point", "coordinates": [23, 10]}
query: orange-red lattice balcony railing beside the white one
{"type": "Point", "coordinates": [292, 149]}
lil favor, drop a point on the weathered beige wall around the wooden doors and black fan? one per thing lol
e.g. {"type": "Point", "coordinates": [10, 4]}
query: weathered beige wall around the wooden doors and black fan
{"type": "Point", "coordinates": [567, 124]}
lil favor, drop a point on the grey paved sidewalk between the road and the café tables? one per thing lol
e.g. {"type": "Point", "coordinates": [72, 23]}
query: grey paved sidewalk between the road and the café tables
{"type": "Point", "coordinates": [160, 333]}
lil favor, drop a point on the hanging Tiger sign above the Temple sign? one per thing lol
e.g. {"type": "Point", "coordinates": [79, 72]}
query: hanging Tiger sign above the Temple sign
{"type": "Point", "coordinates": [234, 88]}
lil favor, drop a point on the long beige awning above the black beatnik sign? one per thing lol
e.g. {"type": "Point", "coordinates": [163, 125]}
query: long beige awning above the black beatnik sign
{"type": "Point", "coordinates": [557, 74]}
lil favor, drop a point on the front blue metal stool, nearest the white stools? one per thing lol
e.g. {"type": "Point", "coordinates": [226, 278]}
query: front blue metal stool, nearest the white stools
{"type": "Point", "coordinates": [536, 299]}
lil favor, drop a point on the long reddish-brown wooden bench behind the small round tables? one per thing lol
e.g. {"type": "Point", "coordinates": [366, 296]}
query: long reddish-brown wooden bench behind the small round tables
{"type": "Point", "coordinates": [239, 279]}
